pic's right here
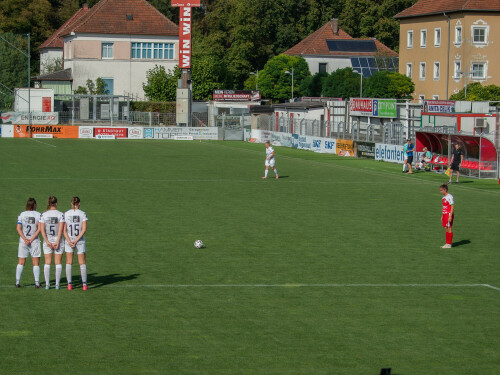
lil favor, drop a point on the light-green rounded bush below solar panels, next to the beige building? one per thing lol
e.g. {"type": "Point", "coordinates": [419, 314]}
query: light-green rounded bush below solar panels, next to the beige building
{"type": "Point", "coordinates": [384, 84]}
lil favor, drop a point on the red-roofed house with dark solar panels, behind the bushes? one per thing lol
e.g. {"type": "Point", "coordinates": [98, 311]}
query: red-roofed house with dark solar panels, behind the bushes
{"type": "Point", "coordinates": [331, 48]}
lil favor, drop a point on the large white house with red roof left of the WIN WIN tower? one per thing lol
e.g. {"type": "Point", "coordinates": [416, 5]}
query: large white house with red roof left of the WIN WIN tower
{"type": "Point", "coordinates": [116, 40]}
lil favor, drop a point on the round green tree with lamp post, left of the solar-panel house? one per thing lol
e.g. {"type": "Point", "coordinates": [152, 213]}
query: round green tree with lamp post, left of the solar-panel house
{"type": "Point", "coordinates": [275, 84]}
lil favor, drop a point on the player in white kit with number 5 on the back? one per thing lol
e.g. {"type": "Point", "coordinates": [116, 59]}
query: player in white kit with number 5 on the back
{"type": "Point", "coordinates": [52, 226]}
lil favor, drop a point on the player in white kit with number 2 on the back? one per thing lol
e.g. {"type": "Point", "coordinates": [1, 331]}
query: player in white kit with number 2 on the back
{"type": "Point", "coordinates": [28, 228]}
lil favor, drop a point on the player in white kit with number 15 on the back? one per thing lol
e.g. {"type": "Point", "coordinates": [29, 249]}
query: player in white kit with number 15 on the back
{"type": "Point", "coordinates": [76, 226]}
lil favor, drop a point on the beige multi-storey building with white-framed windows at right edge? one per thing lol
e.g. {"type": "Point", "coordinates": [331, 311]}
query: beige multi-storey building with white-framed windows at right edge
{"type": "Point", "coordinates": [446, 44]}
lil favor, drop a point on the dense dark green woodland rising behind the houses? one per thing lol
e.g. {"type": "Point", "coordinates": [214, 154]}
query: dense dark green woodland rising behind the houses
{"type": "Point", "coordinates": [231, 37]}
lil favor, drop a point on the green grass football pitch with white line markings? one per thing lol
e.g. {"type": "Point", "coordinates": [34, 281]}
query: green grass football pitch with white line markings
{"type": "Point", "coordinates": [335, 268]}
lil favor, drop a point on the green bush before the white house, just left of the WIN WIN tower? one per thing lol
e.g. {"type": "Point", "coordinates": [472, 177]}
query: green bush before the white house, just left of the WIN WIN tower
{"type": "Point", "coordinates": [161, 85]}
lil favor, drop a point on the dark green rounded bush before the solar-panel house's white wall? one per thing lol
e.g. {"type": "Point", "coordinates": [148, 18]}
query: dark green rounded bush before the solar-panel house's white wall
{"type": "Point", "coordinates": [342, 83]}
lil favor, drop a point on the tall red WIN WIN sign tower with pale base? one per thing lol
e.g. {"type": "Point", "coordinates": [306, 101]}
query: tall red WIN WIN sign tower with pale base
{"type": "Point", "coordinates": [184, 87]}
